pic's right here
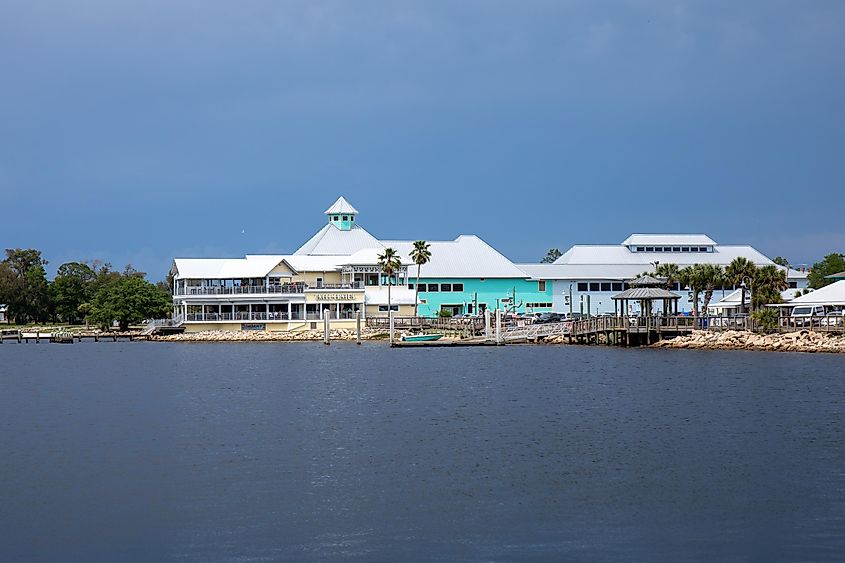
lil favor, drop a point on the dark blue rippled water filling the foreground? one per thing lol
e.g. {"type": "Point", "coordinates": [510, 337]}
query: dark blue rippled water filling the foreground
{"type": "Point", "coordinates": [239, 452]}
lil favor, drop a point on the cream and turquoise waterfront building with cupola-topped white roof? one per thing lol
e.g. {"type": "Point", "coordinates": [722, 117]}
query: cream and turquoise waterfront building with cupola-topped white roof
{"type": "Point", "coordinates": [336, 273]}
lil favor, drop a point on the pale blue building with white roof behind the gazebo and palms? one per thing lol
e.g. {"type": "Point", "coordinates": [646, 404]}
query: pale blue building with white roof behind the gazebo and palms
{"type": "Point", "coordinates": [587, 276]}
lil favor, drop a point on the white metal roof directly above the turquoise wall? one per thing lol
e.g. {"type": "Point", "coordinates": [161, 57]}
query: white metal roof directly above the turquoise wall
{"type": "Point", "coordinates": [465, 257]}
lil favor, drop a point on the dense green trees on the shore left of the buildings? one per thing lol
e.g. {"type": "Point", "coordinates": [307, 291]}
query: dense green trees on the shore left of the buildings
{"type": "Point", "coordinates": [81, 292]}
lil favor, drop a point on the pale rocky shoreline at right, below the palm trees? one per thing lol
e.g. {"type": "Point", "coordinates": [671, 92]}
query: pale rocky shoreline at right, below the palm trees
{"type": "Point", "coordinates": [800, 341]}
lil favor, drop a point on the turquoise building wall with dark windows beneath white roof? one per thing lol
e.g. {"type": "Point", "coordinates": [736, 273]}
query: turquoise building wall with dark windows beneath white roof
{"type": "Point", "coordinates": [488, 292]}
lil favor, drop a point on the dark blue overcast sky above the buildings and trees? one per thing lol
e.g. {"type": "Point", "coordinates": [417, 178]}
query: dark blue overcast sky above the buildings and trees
{"type": "Point", "coordinates": [136, 132]}
